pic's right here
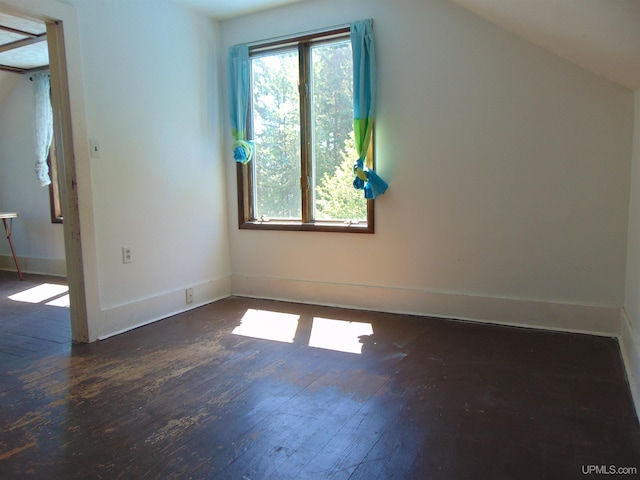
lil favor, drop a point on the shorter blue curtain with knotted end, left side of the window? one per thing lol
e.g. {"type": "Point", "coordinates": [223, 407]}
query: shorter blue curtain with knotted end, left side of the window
{"type": "Point", "coordinates": [239, 68]}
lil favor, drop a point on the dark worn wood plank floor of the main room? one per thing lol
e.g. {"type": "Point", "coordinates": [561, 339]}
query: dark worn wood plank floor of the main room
{"type": "Point", "coordinates": [187, 398]}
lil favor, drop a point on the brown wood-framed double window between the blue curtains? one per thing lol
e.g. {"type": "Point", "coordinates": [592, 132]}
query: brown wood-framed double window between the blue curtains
{"type": "Point", "coordinates": [301, 122]}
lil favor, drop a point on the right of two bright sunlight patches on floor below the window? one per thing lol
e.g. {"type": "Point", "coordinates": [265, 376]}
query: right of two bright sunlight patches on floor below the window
{"type": "Point", "coordinates": [338, 335]}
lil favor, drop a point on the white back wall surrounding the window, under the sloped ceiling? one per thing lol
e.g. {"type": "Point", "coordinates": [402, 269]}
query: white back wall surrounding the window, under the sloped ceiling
{"type": "Point", "coordinates": [508, 170]}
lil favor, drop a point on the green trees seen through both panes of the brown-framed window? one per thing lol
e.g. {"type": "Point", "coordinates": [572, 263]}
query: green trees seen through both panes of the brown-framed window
{"type": "Point", "coordinates": [276, 118]}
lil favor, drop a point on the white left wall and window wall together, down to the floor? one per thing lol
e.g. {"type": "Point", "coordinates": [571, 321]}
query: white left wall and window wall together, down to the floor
{"type": "Point", "coordinates": [509, 171]}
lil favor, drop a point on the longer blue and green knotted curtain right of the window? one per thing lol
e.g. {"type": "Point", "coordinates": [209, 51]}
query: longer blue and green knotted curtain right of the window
{"type": "Point", "coordinates": [364, 102]}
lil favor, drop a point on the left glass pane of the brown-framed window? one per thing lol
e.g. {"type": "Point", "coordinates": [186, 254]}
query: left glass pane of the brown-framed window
{"type": "Point", "coordinates": [276, 132]}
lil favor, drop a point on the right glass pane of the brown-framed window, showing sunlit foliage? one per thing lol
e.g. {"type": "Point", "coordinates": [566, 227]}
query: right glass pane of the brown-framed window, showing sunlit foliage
{"type": "Point", "coordinates": [333, 140]}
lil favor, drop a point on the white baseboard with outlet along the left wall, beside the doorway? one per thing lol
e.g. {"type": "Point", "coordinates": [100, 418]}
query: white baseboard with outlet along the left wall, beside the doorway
{"type": "Point", "coordinates": [136, 314]}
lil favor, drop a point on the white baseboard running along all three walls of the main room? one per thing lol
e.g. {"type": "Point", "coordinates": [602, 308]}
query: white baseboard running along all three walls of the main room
{"type": "Point", "coordinates": [593, 320]}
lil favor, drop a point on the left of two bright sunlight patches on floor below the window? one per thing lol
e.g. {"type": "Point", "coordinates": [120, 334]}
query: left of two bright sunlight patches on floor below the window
{"type": "Point", "coordinates": [267, 325]}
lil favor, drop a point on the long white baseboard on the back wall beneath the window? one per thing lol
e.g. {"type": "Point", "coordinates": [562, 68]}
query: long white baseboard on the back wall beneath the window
{"type": "Point", "coordinates": [594, 320]}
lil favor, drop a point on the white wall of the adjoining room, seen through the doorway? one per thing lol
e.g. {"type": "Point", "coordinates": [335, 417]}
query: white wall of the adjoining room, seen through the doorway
{"type": "Point", "coordinates": [39, 244]}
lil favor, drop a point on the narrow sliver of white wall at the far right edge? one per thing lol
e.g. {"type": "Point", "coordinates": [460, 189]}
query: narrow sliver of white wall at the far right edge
{"type": "Point", "coordinates": [630, 340]}
